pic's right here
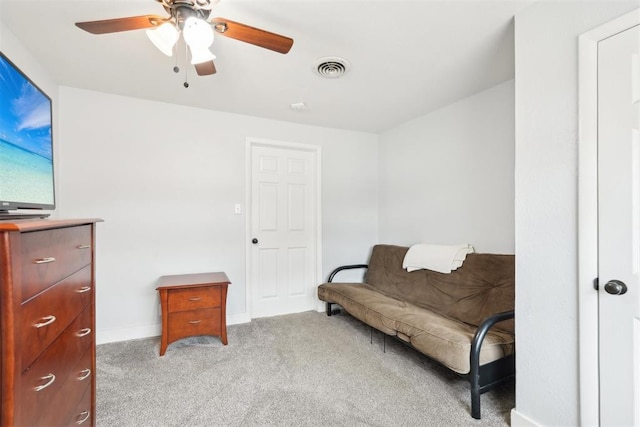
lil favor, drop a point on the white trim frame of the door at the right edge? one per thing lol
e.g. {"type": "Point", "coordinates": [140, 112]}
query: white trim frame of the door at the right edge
{"type": "Point", "coordinates": [588, 322]}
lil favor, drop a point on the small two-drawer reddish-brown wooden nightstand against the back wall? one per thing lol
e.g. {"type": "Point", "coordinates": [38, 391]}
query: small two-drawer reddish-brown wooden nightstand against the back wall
{"type": "Point", "coordinates": [193, 304]}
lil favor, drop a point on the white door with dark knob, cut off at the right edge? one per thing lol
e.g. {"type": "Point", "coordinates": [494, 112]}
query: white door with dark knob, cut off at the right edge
{"type": "Point", "coordinates": [619, 227]}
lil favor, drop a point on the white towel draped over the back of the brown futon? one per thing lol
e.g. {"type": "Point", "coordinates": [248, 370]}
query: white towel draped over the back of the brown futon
{"type": "Point", "coordinates": [441, 258]}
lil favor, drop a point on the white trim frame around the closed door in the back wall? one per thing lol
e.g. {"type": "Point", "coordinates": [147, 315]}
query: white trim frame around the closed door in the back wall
{"type": "Point", "coordinates": [314, 149]}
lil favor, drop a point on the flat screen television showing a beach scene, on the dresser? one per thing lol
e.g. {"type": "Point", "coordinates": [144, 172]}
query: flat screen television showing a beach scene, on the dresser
{"type": "Point", "coordinates": [26, 145]}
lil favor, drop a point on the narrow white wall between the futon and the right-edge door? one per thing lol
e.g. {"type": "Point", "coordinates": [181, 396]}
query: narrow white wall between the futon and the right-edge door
{"type": "Point", "coordinates": [546, 40]}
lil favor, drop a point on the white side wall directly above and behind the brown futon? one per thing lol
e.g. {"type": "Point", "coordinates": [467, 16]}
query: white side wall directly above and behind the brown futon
{"type": "Point", "coordinates": [447, 177]}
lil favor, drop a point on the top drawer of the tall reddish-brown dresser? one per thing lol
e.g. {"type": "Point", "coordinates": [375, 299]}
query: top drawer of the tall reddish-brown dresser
{"type": "Point", "coordinates": [51, 255]}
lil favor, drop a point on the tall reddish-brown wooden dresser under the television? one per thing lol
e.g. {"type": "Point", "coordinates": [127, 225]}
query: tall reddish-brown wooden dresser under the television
{"type": "Point", "coordinates": [47, 322]}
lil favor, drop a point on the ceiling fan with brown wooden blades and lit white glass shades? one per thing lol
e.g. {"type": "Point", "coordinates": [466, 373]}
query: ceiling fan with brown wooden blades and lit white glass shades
{"type": "Point", "coordinates": [191, 18]}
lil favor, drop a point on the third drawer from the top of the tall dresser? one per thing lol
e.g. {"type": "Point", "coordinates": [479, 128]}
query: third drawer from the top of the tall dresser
{"type": "Point", "coordinates": [54, 384]}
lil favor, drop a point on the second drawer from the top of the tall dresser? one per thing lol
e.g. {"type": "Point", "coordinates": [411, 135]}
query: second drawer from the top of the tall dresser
{"type": "Point", "coordinates": [45, 316]}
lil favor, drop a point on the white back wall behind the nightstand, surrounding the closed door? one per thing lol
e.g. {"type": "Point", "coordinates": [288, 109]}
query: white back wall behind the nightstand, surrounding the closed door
{"type": "Point", "coordinates": [165, 178]}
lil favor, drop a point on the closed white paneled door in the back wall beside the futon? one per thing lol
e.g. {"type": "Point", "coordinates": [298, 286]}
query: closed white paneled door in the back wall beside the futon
{"type": "Point", "coordinates": [284, 222]}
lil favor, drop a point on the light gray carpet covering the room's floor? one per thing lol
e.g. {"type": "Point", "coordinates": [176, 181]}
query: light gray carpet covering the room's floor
{"type": "Point", "coordinates": [293, 370]}
